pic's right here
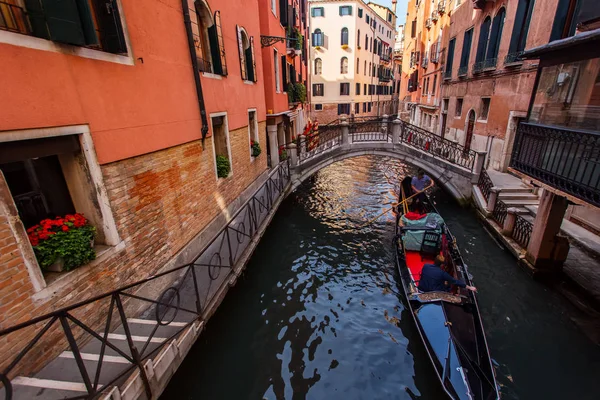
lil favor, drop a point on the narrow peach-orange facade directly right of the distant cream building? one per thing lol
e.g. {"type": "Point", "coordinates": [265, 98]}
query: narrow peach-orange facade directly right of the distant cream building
{"type": "Point", "coordinates": [426, 22]}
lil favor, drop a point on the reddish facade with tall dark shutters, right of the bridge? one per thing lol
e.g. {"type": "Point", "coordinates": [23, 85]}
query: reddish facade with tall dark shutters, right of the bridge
{"type": "Point", "coordinates": [486, 85]}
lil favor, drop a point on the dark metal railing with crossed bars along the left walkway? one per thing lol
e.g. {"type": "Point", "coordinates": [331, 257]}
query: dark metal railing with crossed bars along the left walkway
{"type": "Point", "coordinates": [167, 302]}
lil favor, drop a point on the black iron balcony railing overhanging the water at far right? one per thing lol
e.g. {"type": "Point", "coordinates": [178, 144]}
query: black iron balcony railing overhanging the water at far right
{"type": "Point", "coordinates": [566, 159]}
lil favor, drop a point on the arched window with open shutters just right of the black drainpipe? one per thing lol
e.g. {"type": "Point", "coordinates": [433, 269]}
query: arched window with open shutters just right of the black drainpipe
{"type": "Point", "coordinates": [208, 40]}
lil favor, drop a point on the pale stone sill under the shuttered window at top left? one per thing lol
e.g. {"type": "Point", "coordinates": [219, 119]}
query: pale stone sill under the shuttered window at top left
{"type": "Point", "coordinates": [32, 42]}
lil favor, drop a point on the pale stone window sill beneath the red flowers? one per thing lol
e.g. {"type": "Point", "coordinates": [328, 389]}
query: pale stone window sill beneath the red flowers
{"type": "Point", "coordinates": [57, 281]}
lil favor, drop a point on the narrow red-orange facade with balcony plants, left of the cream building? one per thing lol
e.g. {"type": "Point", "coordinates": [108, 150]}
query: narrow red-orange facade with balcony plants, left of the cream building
{"type": "Point", "coordinates": [284, 26]}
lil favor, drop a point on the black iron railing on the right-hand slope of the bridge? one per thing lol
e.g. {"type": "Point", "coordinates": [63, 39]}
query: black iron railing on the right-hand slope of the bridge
{"type": "Point", "coordinates": [439, 147]}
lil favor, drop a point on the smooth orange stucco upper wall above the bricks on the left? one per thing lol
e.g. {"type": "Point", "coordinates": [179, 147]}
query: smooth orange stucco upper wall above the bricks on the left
{"type": "Point", "coordinates": [132, 109]}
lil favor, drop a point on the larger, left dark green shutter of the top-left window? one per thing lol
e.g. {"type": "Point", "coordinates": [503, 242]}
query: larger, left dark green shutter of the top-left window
{"type": "Point", "coordinates": [63, 21]}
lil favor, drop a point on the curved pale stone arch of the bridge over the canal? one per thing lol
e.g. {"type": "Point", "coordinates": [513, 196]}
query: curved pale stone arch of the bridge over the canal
{"type": "Point", "coordinates": [455, 180]}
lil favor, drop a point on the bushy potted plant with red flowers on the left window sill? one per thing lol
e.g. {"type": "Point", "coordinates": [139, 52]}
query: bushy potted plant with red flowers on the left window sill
{"type": "Point", "coordinates": [63, 243]}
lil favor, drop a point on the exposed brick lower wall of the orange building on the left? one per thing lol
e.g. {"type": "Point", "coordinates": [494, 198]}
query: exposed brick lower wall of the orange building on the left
{"type": "Point", "coordinates": [160, 201]}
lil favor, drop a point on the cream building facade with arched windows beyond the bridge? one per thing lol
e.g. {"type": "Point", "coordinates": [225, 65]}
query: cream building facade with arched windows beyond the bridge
{"type": "Point", "coordinates": [351, 49]}
